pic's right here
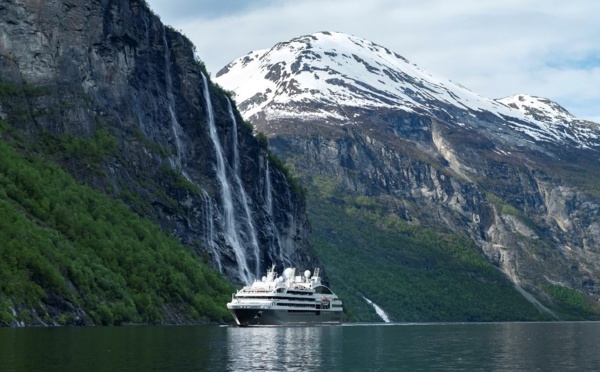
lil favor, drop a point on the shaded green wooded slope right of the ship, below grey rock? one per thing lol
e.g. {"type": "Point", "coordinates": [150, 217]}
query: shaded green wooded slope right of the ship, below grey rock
{"type": "Point", "coordinates": [413, 273]}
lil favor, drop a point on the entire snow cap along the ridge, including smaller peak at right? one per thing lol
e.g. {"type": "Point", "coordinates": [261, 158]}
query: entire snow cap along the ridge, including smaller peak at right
{"type": "Point", "coordinates": [320, 76]}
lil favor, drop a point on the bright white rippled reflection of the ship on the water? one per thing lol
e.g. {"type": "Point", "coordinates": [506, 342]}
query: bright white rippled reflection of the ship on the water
{"type": "Point", "coordinates": [278, 348]}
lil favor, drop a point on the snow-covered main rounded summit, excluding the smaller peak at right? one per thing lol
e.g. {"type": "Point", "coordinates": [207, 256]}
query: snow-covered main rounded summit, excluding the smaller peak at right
{"type": "Point", "coordinates": [335, 68]}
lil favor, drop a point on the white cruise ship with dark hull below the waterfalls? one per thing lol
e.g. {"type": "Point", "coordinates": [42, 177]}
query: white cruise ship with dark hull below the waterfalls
{"type": "Point", "coordinates": [288, 299]}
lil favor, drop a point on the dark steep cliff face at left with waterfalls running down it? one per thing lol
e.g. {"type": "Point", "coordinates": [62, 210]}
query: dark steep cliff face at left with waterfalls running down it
{"type": "Point", "coordinates": [112, 66]}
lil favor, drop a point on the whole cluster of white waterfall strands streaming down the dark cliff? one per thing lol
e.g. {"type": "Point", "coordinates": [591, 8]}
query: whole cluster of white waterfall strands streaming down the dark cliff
{"type": "Point", "coordinates": [229, 218]}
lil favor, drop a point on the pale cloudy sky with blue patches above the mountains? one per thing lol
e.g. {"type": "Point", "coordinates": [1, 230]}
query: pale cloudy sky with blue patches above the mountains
{"type": "Point", "coordinates": [546, 48]}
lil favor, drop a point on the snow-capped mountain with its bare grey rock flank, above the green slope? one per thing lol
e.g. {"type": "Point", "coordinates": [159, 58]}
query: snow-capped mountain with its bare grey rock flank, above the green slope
{"type": "Point", "coordinates": [517, 175]}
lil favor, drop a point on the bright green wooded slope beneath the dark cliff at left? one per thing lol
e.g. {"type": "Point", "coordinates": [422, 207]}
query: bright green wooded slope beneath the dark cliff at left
{"type": "Point", "coordinates": [70, 255]}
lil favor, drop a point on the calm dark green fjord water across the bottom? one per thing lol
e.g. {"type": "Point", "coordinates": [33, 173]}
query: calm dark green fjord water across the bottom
{"type": "Point", "coordinates": [356, 347]}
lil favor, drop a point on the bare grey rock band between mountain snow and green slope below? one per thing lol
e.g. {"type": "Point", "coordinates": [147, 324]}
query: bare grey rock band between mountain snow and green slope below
{"type": "Point", "coordinates": [525, 222]}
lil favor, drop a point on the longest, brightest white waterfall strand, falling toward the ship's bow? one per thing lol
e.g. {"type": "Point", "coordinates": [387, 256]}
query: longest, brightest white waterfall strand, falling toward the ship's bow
{"type": "Point", "coordinates": [229, 224]}
